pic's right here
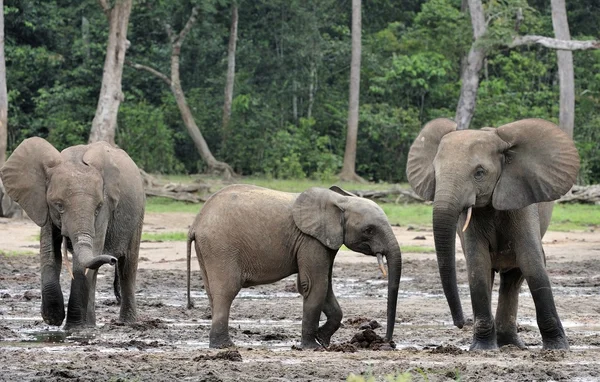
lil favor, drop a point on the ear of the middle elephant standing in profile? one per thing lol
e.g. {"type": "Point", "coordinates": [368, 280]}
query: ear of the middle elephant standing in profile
{"type": "Point", "coordinates": [317, 213]}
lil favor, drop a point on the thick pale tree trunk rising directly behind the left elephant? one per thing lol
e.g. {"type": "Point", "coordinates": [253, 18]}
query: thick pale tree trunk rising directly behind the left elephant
{"type": "Point", "coordinates": [104, 124]}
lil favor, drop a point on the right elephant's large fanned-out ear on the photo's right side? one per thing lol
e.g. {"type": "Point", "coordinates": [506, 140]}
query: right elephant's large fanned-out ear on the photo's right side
{"type": "Point", "coordinates": [540, 165]}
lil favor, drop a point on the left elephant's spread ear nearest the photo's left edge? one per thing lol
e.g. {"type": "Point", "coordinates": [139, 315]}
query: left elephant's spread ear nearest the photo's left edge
{"type": "Point", "coordinates": [25, 176]}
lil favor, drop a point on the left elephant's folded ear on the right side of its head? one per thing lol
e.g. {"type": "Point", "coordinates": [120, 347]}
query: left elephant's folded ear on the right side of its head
{"type": "Point", "coordinates": [100, 156]}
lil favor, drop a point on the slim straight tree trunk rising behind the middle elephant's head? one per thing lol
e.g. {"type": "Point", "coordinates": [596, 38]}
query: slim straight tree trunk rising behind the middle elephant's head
{"type": "Point", "coordinates": [349, 167]}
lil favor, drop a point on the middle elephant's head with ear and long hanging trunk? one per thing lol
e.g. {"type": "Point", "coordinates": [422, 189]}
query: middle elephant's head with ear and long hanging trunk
{"type": "Point", "coordinates": [335, 217]}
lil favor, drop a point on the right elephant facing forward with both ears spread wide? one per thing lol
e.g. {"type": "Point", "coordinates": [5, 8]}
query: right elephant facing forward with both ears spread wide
{"type": "Point", "coordinates": [496, 179]}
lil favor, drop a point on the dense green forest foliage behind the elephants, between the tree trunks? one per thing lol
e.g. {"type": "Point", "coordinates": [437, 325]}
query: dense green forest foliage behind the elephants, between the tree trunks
{"type": "Point", "coordinates": [292, 70]}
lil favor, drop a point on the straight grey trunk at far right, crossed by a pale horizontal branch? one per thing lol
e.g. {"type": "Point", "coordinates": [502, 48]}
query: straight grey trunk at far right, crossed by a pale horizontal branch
{"type": "Point", "coordinates": [565, 68]}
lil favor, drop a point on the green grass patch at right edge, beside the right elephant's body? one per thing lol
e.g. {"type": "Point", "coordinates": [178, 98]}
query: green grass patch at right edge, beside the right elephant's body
{"type": "Point", "coordinates": [575, 217]}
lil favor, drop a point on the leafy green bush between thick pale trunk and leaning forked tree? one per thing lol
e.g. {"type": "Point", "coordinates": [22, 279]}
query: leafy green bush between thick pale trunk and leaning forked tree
{"type": "Point", "coordinates": [146, 137]}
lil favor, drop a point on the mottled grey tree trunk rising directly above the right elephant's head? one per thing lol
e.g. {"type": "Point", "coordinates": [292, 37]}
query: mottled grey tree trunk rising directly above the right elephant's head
{"type": "Point", "coordinates": [470, 74]}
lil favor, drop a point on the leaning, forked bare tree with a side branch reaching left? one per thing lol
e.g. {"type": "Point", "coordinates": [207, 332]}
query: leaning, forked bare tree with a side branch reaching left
{"type": "Point", "coordinates": [174, 83]}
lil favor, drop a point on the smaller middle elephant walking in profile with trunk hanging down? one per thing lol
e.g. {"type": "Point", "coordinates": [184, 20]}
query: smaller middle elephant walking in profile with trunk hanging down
{"type": "Point", "coordinates": [247, 235]}
